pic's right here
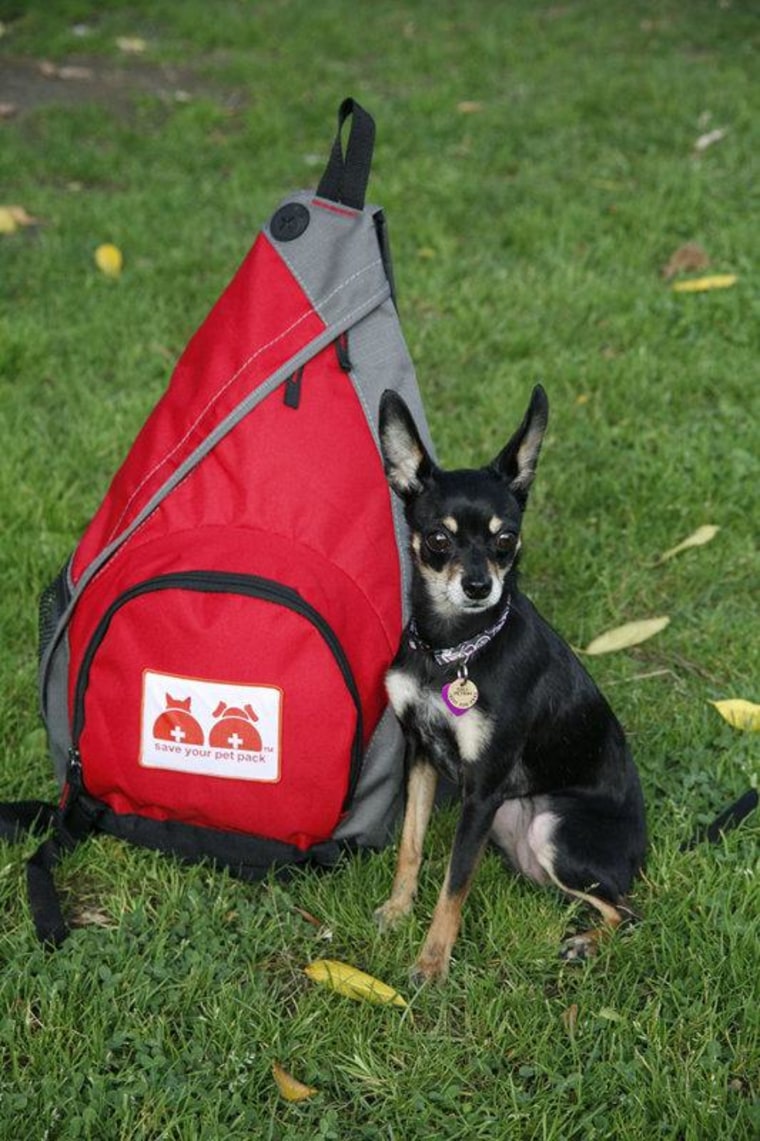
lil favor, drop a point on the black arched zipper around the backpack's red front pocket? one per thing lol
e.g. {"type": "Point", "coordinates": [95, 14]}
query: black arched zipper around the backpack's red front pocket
{"type": "Point", "coordinates": [224, 584]}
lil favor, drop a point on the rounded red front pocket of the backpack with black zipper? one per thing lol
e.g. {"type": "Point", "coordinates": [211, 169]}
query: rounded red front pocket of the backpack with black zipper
{"type": "Point", "coordinates": [217, 699]}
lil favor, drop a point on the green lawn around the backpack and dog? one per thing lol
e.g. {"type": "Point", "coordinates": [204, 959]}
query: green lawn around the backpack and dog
{"type": "Point", "coordinates": [529, 237]}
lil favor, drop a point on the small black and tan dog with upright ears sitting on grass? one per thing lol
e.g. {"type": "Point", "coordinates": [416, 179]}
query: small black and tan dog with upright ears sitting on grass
{"type": "Point", "coordinates": [491, 698]}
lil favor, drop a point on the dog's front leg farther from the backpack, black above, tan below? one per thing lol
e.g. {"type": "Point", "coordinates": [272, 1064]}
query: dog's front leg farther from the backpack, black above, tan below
{"type": "Point", "coordinates": [470, 841]}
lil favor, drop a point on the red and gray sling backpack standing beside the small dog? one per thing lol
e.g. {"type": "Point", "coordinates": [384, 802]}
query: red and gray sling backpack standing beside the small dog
{"type": "Point", "coordinates": [213, 654]}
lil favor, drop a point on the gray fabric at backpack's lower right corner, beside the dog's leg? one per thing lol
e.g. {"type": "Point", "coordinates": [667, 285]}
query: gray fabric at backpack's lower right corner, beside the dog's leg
{"type": "Point", "coordinates": [379, 795]}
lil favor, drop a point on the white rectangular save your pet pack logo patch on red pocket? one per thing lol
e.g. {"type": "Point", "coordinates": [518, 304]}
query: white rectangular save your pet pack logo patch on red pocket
{"type": "Point", "coordinates": [213, 729]}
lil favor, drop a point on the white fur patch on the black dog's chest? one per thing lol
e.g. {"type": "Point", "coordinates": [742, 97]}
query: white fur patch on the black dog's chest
{"type": "Point", "coordinates": [448, 740]}
